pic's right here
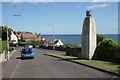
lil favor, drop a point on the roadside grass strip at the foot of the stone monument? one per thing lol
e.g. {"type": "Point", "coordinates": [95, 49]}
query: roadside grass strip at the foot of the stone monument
{"type": "Point", "coordinates": [114, 67]}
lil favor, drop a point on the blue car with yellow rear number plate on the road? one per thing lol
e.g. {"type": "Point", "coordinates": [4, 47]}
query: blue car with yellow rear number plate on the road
{"type": "Point", "coordinates": [27, 52]}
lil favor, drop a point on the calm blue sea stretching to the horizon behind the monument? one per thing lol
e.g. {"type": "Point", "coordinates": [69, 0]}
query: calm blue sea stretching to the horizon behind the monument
{"type": "Point", "coordinates": [76, 38]}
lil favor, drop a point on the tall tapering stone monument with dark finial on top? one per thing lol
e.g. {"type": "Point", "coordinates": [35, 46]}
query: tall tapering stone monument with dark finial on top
{"type": "Point", "coordinates": [88, 37]}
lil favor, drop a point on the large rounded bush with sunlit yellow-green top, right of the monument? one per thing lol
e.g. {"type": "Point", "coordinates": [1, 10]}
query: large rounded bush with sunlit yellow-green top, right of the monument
{"type": "Point", "coordinates": [108, 50]}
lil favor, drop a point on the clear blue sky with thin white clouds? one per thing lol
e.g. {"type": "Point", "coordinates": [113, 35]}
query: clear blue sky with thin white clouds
{"type": "Point", "coordinates": [67, 17]}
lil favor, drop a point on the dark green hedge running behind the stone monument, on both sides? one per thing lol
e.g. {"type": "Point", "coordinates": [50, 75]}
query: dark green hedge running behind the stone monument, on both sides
{"type": "Point", "coordinates": [107, 50]}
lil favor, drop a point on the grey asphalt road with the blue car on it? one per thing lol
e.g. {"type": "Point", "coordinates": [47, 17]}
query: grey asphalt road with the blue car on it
{"type": "Point", "coordinates": [44, 66]}
